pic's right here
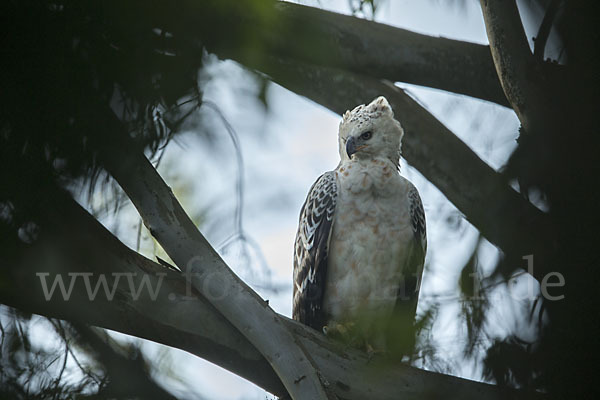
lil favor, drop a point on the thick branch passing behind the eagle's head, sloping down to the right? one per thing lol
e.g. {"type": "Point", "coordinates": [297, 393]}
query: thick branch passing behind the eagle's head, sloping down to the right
{"type": "Point", "coordinates": [507, 219]}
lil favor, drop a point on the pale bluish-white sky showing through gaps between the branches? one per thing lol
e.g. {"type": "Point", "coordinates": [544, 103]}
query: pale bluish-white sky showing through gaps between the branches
{"type": "Point", "coordinates": [285, 147]}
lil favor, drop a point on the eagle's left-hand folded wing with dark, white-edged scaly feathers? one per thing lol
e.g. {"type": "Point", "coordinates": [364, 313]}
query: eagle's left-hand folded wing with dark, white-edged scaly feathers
{"type": "Point", "coordinates": [311, 249]}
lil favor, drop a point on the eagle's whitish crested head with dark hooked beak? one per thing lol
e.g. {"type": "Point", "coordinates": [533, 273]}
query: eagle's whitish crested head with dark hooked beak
{"type": "Point", "coordinates": [371, 131]}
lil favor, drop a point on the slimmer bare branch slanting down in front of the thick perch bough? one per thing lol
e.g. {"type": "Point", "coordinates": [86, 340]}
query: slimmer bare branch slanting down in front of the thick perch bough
{"type": "Point", "coordinates": [203, 267]}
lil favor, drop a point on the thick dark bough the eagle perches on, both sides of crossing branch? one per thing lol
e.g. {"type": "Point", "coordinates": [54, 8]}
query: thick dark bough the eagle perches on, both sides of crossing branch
{"type": "Point", "coordinates": [180, 317]}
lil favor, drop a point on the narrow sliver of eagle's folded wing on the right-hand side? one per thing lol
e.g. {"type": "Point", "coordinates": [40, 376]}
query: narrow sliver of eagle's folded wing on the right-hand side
{"type": "Point", "coordinates": [412, 270]}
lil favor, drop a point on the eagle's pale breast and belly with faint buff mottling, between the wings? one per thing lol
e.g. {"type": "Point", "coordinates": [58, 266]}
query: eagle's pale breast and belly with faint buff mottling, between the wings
{"type": "Point", "coordinates": [368, 246]}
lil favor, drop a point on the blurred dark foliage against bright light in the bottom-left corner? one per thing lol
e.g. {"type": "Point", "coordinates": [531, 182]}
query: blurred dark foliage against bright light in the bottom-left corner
{"type": "Point", "coordinates": [32, 369]}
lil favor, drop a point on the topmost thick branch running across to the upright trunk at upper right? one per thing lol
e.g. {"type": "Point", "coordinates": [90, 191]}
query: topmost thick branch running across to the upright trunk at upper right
{"type": "Point", "coordinates": [248, 31]}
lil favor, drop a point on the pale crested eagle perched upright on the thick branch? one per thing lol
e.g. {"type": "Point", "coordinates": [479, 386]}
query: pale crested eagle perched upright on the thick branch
{"type": "Point", "coordinates": [361, 240]}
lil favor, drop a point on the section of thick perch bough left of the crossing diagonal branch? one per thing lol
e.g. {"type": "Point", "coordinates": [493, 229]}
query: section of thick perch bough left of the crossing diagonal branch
{"type": "Point", "coordinates": [72, 241]}
